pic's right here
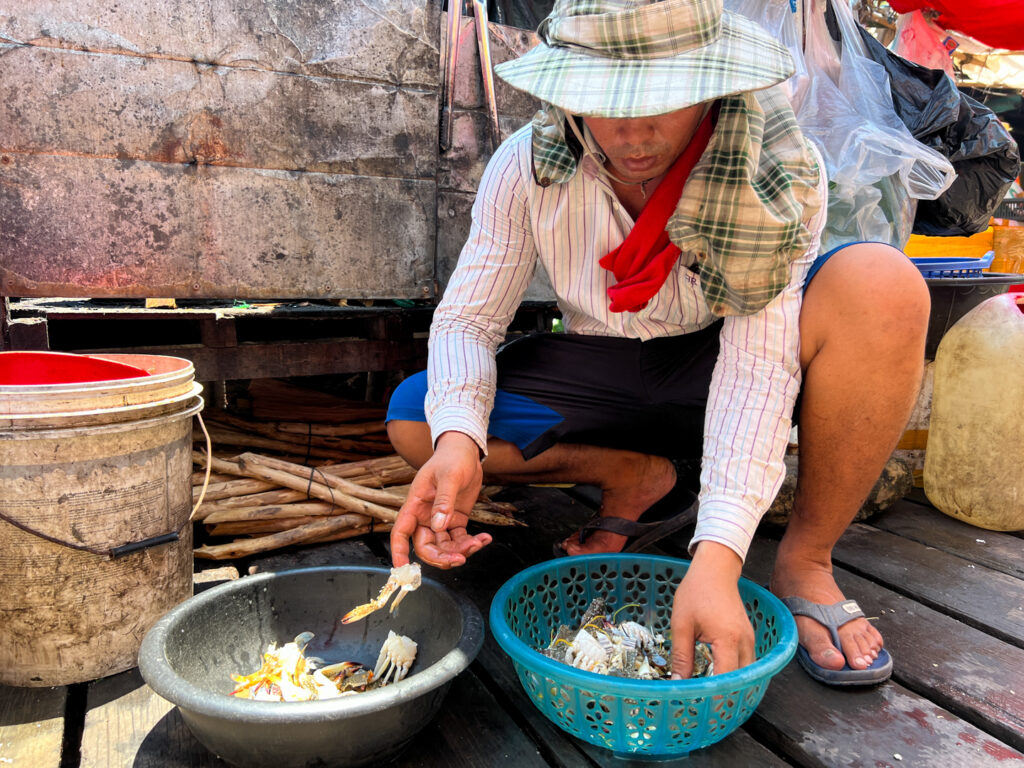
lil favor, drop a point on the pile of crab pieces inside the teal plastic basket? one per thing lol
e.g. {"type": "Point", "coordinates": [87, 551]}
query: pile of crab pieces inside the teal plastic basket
{"type": "Point", "coordinates": [620, 649]}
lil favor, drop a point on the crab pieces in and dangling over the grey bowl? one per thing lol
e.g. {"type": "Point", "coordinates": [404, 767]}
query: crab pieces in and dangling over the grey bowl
{"type": "Point", "coordinates": [288, 675]}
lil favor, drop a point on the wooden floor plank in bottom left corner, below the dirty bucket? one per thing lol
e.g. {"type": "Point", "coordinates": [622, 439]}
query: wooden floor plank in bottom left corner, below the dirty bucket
{"type": "Point", "coordinates": [32, 727]}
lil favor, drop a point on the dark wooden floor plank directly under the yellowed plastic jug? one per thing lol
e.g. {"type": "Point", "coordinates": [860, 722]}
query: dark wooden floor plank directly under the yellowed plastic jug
{"type": "Point", "coordinates": [929, 527]}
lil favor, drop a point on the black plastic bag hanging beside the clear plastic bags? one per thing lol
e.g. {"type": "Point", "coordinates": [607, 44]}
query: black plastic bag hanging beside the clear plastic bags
{"type": "Point", "coordinates": [968, 134]}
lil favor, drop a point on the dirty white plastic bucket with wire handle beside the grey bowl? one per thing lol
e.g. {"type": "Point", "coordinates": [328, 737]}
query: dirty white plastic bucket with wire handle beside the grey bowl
{"type": "Point", "coordinates": [95, 504]}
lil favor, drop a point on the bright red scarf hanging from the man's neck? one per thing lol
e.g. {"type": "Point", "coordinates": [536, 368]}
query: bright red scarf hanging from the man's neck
{"type": "Point", "coordinates": [644, 262]}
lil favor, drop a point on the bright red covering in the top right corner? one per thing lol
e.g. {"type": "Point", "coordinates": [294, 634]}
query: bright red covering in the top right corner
{"type": "Point", "coordinates": [996, 23]}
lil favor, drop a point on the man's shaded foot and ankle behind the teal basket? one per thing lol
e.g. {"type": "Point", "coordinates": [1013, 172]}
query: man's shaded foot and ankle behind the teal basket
{"type": "Point", "coordinates": [629, 496]}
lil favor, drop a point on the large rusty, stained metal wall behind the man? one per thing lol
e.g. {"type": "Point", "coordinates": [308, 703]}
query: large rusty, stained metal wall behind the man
{"type": "Point", "coordinates": [236, 149]}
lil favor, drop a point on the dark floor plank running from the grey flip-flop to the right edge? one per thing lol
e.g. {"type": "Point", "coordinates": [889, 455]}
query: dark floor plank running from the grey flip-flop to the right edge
{"type": "Point", "coordinates": [975, 676]}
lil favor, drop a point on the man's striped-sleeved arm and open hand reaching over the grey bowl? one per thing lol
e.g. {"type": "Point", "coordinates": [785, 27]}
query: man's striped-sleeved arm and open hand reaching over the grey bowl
{"type": "Point", "coordinates": [485, 291]}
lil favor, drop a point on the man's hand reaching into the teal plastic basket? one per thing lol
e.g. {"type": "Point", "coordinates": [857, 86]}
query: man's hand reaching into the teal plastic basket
{"type": "Point", "coordinates": [708, 608]}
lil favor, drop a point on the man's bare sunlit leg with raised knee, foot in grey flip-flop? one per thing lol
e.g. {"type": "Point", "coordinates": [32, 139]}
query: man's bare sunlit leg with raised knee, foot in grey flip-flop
{"type": "Point", "coordinates": [863, 347]}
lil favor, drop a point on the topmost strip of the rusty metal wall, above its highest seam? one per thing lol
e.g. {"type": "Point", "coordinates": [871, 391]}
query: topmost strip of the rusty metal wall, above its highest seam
{"type": "Point", "coordinates": [393, 41]}
